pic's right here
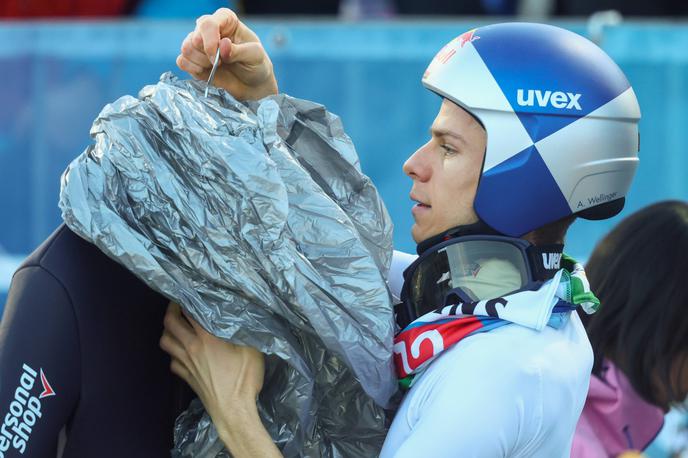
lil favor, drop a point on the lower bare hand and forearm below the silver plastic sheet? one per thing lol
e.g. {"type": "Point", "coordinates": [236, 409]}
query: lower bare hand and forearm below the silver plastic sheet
{"type": "Point", "coordinates": [226, 377]}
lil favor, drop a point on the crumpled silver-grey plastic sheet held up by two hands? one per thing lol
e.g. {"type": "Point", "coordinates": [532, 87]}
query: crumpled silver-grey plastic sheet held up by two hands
{"type": "Point", "coordinates": [257, 219]}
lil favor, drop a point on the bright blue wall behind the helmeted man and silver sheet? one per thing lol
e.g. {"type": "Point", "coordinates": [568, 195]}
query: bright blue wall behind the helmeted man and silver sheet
{"type": "Point", "coordinates": [55, 78]}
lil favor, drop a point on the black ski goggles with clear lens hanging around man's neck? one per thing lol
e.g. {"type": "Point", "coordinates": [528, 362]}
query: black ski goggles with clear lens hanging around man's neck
{"type": "Point", "coordinates": [471, 269]}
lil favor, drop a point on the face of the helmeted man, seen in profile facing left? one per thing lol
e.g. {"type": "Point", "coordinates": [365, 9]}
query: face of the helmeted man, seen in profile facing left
{"type": "Point", "coordinates": [445, 173]}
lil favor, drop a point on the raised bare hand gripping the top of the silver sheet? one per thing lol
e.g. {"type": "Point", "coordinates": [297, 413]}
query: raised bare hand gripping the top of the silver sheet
{"type": "Point", "coordinates": [246, 71]}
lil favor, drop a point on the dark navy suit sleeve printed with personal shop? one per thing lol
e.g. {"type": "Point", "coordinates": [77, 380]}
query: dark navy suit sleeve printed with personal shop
{"type": "Point", "coordinates": [39, 364]}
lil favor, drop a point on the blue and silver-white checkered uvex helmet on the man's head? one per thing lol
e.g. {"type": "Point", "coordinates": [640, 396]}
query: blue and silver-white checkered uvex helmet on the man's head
{"type": "Point", "coordinates": [561, 122]}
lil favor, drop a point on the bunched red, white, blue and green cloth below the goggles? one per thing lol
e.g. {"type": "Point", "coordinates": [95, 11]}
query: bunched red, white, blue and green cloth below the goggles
{"type": "Point", "coordinates": [423, 340]}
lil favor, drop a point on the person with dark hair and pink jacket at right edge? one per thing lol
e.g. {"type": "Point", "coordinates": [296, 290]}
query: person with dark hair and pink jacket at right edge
{"type": "Point", "coordinates": [640, 334]}
